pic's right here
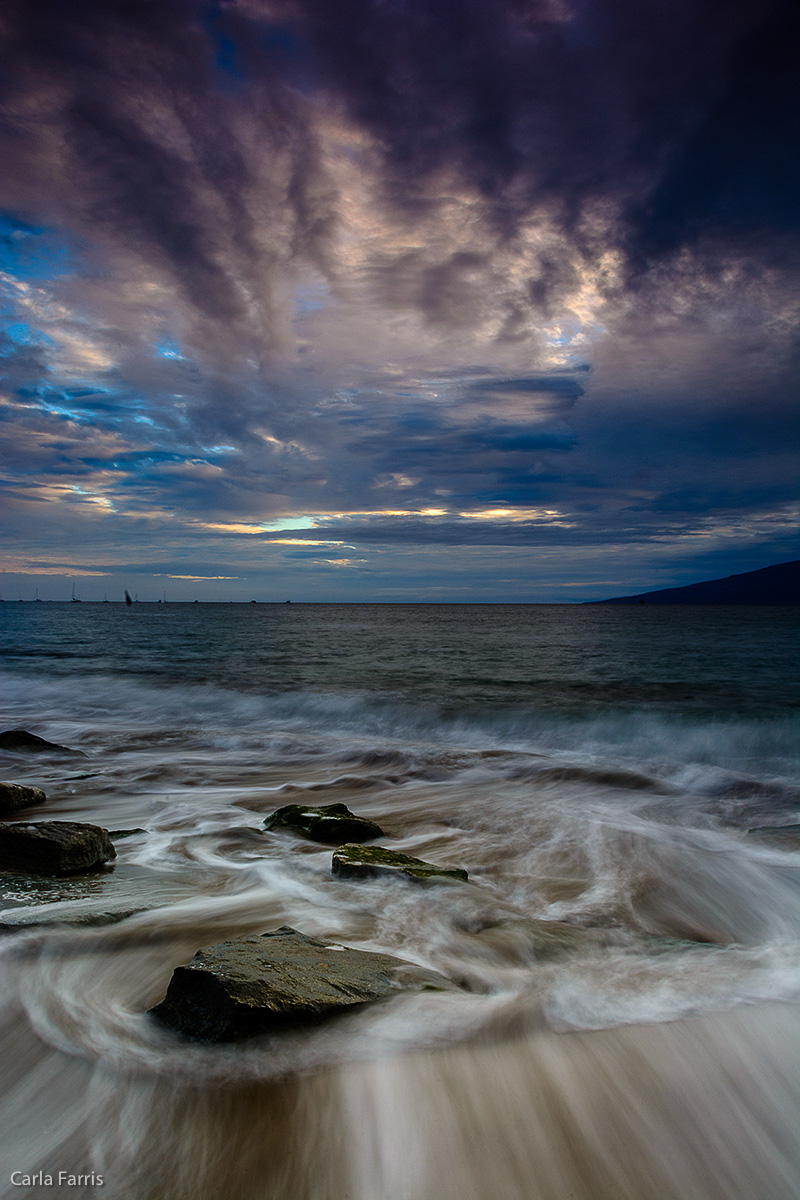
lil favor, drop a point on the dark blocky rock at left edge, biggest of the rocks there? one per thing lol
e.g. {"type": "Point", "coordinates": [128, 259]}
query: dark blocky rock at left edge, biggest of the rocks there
{"type": "Point", "coordinates": [55, 848]}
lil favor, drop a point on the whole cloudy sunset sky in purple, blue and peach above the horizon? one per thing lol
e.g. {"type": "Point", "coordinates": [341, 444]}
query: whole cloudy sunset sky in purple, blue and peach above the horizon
{"type": "Point", "coordinates": [396, 301]}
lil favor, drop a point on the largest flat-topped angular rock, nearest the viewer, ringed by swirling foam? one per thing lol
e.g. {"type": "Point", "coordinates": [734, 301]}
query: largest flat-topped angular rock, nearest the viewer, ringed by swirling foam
{"type": "Point", "coordinates": [282, 980]}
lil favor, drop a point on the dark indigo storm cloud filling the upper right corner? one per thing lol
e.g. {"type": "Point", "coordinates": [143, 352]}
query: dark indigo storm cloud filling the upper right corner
{"type": "Point", "coordinates": [681, 111]}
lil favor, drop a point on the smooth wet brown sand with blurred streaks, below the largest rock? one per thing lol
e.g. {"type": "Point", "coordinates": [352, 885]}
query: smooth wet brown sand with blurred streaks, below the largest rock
{"type": "Point", "coordinates": [702, 1109]}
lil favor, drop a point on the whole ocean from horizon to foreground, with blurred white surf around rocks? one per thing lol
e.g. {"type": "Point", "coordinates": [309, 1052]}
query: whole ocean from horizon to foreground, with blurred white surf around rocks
{"type": "Point", "coordinates": [599, 766]}
